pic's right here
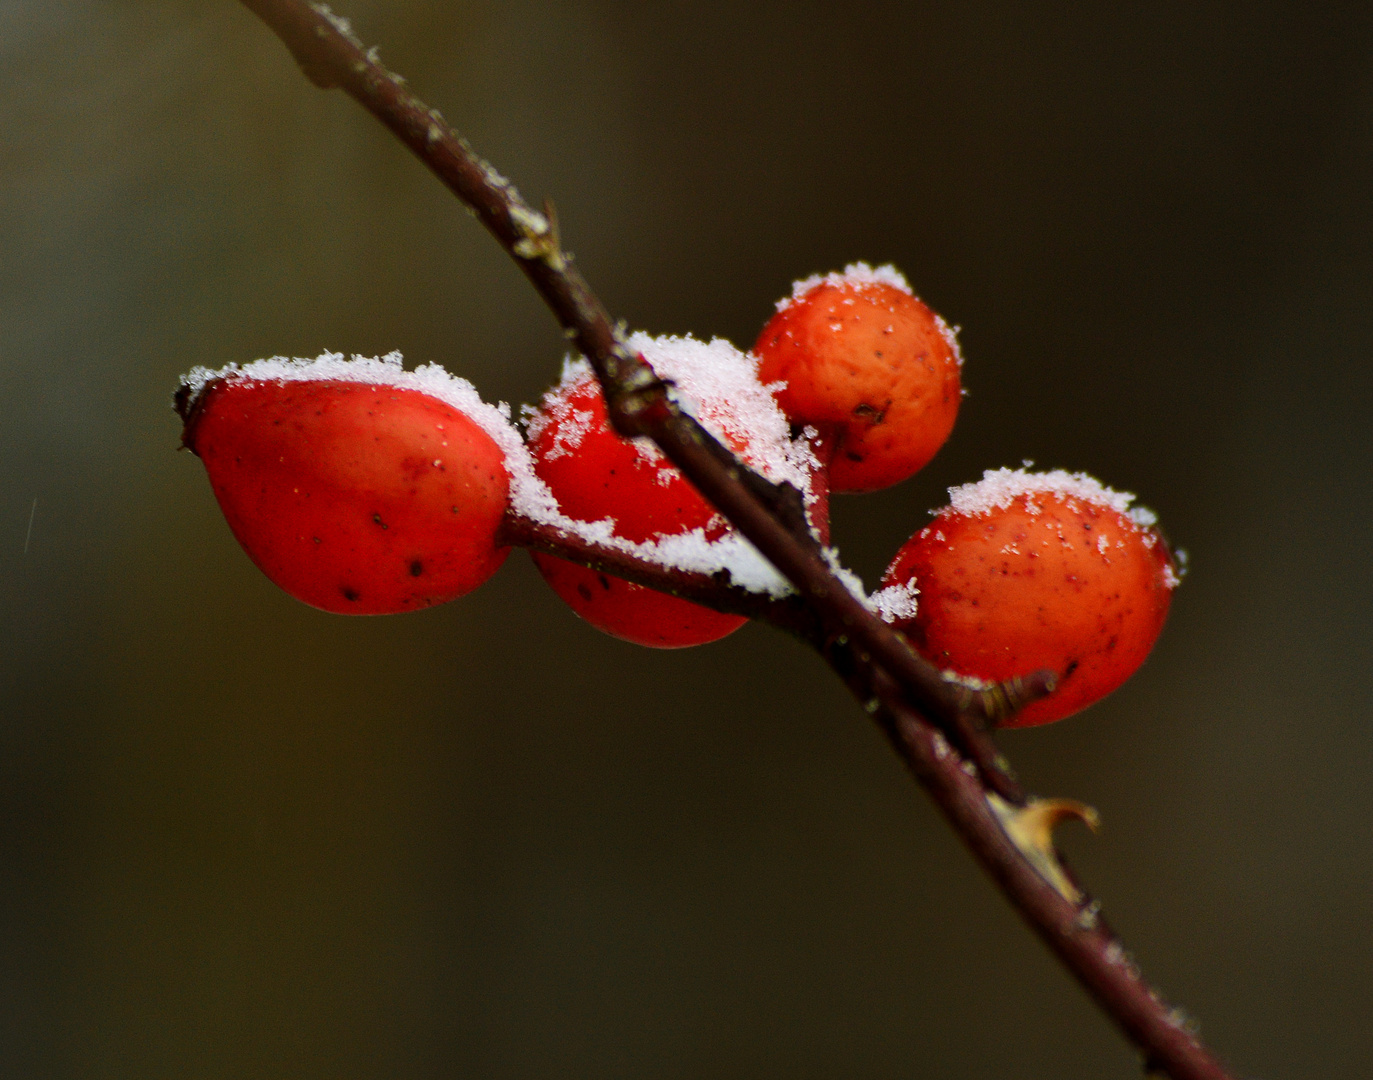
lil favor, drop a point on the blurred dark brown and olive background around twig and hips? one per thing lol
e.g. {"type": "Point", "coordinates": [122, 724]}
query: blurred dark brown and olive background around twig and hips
{"type": "Point", "coordinates": [241, 838]}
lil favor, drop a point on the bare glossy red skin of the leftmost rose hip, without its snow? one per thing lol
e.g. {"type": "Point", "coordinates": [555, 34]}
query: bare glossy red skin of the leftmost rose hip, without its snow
{"type": "Point", "coordinates": [356, 499]}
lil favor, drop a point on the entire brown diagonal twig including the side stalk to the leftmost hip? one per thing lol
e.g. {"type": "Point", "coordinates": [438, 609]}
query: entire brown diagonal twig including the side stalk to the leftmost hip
{"type": "Point", "coordinates": [911, 701]}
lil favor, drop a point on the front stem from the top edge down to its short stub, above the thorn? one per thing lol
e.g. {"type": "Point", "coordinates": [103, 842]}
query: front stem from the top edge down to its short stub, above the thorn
{"type": "Point", "coordinates": [772, 518]}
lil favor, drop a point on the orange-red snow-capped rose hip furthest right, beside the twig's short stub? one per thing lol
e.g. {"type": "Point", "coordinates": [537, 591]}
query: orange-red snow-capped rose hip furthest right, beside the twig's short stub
{"type": "Point", "coordinates": [1028, 572]}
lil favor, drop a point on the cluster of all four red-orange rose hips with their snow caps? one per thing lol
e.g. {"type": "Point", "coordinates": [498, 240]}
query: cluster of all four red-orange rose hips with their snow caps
{"type": "Point", "coordinates": [362, 488]}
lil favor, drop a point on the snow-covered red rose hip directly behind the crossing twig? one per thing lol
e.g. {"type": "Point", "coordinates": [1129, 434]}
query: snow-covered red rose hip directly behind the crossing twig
{"type": "Point", "coordinates": [627, 493]}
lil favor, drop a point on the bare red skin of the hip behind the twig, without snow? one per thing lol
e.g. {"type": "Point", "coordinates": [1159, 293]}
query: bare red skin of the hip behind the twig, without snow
{"type": "Point", "coordinates": [610, 477]}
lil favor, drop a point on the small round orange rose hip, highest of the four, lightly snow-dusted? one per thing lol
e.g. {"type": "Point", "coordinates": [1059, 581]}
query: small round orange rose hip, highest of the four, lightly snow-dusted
{"type": "Point", "coordinates": [862, 355]}
